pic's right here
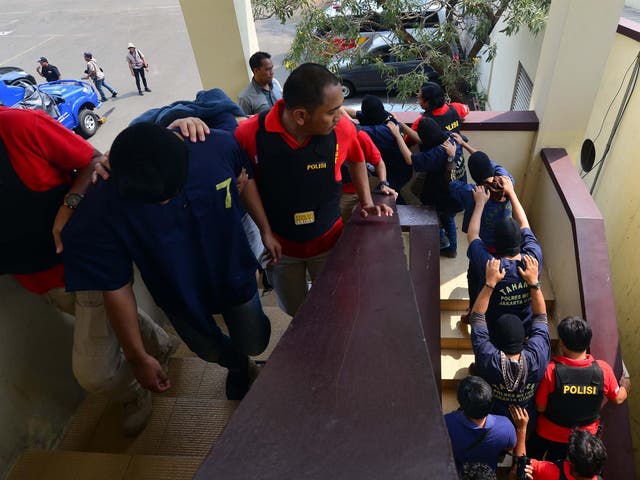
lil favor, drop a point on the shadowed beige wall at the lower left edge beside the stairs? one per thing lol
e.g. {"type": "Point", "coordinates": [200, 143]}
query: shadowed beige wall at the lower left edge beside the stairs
{"type": "Point", "coordinates": [38, 392]}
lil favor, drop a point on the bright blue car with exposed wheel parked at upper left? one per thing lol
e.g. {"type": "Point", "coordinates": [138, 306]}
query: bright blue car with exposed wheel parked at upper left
{"type": "Point", "coordinates": [70, 102]}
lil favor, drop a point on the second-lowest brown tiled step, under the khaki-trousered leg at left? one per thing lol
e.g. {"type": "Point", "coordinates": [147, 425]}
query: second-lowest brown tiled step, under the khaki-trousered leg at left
{"type": "Point", "coordinates": [178, 426]}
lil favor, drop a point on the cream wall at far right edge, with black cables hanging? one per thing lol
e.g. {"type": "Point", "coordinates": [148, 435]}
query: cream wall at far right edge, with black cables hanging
{"type": "Point", "coordinates": [617, 194]}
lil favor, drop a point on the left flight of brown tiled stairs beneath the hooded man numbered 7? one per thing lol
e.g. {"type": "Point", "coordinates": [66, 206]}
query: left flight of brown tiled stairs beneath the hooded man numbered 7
{"type": "Point", "coordinates": [186, 422]}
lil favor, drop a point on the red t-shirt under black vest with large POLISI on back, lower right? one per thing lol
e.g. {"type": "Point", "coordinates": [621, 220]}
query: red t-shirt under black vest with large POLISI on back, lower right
{"type": "Point", "coordinates": [556, 433]}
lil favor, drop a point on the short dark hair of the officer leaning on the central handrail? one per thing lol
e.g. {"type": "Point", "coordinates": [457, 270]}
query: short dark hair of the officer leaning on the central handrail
{"type": "Point", "coordinates": [305, 86]}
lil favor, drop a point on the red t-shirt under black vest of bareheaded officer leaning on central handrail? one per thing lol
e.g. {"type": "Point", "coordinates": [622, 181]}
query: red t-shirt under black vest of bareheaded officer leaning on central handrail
{"type": "Point", "coordinates": [348, 148]}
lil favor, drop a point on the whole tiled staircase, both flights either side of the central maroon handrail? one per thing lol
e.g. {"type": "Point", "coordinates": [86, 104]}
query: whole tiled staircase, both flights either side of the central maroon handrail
{"type": "Point", "coordinates": [188, 419]}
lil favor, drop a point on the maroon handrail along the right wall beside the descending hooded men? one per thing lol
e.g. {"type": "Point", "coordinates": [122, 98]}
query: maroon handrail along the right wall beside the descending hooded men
{"type": "Point", "coordinates": [596, 294]}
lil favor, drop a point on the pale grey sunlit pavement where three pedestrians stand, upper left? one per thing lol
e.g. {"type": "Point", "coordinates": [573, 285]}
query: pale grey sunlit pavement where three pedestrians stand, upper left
{"type": "Point", "coordinates": [63, 30]}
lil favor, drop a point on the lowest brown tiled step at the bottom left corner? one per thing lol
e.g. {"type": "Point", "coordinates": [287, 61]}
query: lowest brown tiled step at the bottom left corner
{"type": "Point", "coordinates": [66, 465]}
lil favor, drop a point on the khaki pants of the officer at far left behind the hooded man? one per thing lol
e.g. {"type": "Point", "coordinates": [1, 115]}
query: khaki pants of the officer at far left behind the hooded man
{"type": "Point", "coordinates": [98, 362]}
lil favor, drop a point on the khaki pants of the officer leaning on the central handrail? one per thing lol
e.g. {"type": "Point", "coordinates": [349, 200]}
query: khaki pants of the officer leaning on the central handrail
{"type": "Point", "coordinates": [290, 279]}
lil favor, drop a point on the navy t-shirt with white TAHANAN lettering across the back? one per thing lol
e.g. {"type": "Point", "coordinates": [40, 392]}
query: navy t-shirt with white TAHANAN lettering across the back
{"type": "Point", "coordinates": [511, 294]}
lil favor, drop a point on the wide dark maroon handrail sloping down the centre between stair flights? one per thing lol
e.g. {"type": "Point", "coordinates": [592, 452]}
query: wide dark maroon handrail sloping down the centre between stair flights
{"type": "Point", "coordinates": [349, 392]}
